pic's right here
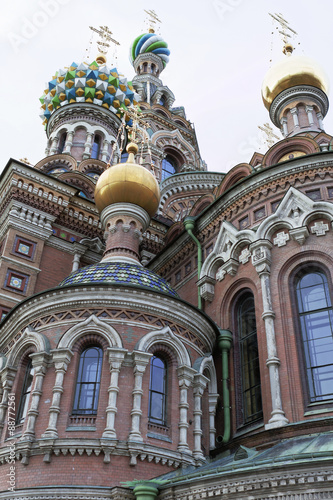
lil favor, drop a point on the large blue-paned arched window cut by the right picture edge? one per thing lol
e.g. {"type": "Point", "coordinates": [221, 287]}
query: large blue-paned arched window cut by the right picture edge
{"type": "Point", "coordinates": [316, 322]}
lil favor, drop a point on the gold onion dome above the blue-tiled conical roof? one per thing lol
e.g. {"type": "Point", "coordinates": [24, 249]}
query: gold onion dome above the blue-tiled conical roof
{"type": "Point", "coordinates": [128, 183]}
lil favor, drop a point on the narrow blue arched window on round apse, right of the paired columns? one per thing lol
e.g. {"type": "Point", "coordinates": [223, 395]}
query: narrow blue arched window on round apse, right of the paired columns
{"type": "Point", "coordinates": [157, 391]}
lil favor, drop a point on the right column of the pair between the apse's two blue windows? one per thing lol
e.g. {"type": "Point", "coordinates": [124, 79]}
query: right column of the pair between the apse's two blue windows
{"type": "Point", "coordinates": [141, 360]}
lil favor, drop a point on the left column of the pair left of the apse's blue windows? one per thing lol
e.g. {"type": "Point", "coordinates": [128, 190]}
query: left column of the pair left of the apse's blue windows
{"type": "Point", "coordinates": [39, 362]}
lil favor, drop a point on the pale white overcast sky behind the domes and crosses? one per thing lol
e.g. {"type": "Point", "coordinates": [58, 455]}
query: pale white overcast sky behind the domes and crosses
{"type": "Point", "coordinates": [220, 52]}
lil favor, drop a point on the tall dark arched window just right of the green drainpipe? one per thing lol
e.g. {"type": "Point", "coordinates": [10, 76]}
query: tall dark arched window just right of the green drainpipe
{"type": "Point", "coordinates": [249, 359]}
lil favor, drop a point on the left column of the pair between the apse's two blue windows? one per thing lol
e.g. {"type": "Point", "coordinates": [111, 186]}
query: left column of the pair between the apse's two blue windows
{"type": "Point", "coordinates": [116, 357]}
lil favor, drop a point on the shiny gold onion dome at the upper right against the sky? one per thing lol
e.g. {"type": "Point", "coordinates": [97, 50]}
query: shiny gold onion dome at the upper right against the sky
{"type": "Point", "coordinates": [289, 72]}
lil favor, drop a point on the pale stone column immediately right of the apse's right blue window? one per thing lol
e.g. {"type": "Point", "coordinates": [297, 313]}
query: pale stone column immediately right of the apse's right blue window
{"type": "Point", "coordinates": [185, 378]}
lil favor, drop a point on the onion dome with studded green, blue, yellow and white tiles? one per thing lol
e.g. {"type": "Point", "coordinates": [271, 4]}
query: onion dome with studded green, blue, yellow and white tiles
{"type": "Point", "coordinates": [91, 83]}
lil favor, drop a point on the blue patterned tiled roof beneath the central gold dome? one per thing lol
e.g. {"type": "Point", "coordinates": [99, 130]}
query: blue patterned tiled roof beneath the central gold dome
{"type": "Point", "coordinates": [113, 273]}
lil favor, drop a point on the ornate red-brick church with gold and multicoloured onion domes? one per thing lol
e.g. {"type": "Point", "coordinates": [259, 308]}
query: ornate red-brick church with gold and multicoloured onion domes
{"type": "Point", "coordinates": [166, 330]}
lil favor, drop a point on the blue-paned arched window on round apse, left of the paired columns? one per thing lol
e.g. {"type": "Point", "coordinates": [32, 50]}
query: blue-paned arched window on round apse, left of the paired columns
{"type": "Point", "coordinates": [88, 382]}
